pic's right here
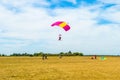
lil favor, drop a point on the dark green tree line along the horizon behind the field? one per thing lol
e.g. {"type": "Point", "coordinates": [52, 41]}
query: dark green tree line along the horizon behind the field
{"type": "Point", "coordinates": [69, 53]}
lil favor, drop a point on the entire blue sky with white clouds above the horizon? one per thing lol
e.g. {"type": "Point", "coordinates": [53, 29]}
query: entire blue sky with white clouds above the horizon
{"type": "Point", "coordinates": [25, 26]}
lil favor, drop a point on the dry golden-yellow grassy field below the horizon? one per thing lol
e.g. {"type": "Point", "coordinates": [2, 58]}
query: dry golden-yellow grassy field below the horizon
{"type": "Point", "coordinates": [67, 68]}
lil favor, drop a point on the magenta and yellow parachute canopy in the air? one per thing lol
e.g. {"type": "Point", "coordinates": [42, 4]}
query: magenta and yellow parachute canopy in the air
{"type": "Point", "coordinates": [62, 24]}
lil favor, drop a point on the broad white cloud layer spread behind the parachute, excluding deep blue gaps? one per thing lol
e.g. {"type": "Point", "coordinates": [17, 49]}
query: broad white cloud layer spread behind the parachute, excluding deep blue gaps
{"type": "Point", "coordinates": [31, 28]}
